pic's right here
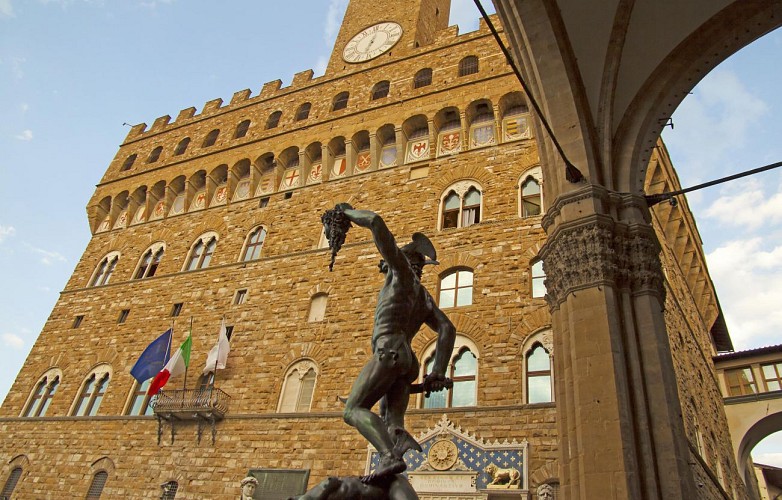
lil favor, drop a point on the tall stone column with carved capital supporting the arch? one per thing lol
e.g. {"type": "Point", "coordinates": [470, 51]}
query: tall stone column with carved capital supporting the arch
{"type": "Point", "coordinates": [620, 426]}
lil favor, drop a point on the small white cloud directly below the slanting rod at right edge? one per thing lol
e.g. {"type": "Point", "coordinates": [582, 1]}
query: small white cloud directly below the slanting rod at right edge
{"type": "Point", "coordinates": [745, 205]}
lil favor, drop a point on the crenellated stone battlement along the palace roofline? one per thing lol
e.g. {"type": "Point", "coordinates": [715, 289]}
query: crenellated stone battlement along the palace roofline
{"type": "Point", "coordinates": [301, 80]}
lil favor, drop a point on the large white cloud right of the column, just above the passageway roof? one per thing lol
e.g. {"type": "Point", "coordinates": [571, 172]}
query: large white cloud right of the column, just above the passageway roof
{"type": "Point", "coordinates": [746, 274]}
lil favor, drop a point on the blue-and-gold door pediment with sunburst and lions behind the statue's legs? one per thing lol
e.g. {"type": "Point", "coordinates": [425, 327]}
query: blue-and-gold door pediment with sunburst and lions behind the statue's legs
{"type": "Point", "coordinates": [455, 461]}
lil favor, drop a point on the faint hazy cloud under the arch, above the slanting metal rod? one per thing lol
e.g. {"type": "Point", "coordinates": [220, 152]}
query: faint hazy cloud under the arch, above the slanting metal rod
{"type": "Point", "coordinates": [719, 118]}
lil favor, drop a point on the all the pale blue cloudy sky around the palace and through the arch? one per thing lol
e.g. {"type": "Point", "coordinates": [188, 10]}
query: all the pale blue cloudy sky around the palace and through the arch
{"type": "Point", "coordinates": [73, 72]}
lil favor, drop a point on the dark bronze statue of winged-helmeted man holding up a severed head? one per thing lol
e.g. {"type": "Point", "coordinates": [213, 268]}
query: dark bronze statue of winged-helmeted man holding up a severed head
{"type": "Point", "coordinates": [403, 306]}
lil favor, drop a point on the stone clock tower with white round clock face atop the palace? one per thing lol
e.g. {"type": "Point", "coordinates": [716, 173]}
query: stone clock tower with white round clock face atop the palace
{"type": "Point", "coordinates": [372, 31]}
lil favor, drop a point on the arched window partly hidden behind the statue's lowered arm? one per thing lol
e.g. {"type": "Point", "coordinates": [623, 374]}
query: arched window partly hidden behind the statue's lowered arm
{"type": "Point", "coordinates": [463, 370]}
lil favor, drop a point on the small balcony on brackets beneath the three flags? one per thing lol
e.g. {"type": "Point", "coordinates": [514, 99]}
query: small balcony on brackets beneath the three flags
{"type": "Point", "coordinates": [204, 405]}
